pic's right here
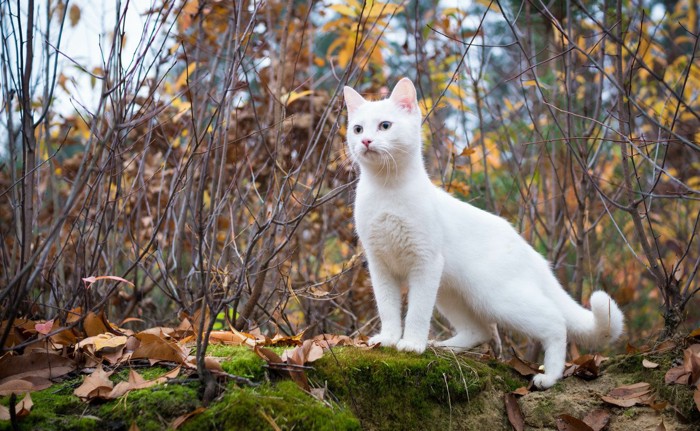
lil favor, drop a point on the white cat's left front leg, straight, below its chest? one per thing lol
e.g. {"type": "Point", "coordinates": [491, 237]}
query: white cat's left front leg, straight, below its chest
{"type": "Point", "coordinates": [387, 294]}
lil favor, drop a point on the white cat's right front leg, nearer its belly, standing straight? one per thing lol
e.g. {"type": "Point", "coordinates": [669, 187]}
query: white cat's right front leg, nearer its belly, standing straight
{"type": "Point", "coordinates": [423, 284]}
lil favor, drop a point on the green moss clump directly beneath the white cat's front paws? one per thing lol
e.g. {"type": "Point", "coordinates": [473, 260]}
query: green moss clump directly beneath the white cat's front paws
{"type": "Point", "coordinates": [388, 389]}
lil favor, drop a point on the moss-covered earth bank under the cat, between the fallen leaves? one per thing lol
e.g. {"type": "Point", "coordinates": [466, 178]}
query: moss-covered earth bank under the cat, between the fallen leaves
{"type": "Point", "coordinates": [375, 389]}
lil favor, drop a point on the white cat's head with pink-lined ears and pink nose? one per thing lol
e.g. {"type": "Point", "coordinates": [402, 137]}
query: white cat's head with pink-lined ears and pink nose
{"type": "Point", "coordinates": [382, 134]}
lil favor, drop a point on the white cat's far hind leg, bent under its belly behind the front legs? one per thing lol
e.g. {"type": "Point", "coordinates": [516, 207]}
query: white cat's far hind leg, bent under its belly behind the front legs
{"type": "Point", "coordinates": [470, 331]}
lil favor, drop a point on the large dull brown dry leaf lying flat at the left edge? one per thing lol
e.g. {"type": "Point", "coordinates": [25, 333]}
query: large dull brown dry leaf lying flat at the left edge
{"type": "Point", "coordinates": [34, 363]}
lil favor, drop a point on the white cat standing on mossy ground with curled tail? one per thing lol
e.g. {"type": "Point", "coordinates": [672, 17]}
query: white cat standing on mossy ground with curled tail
{"type": "Point", "coordinates": [472, 264]}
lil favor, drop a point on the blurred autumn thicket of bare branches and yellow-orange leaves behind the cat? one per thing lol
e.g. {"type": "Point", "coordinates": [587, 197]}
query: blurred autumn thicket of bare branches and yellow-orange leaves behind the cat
{"type": "Point", "coordinates": [211, 170]}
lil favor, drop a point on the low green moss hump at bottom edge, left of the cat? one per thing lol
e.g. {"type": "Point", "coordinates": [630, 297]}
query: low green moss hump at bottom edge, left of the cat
{"type": "Point", "coordinates": [283, 404]}
